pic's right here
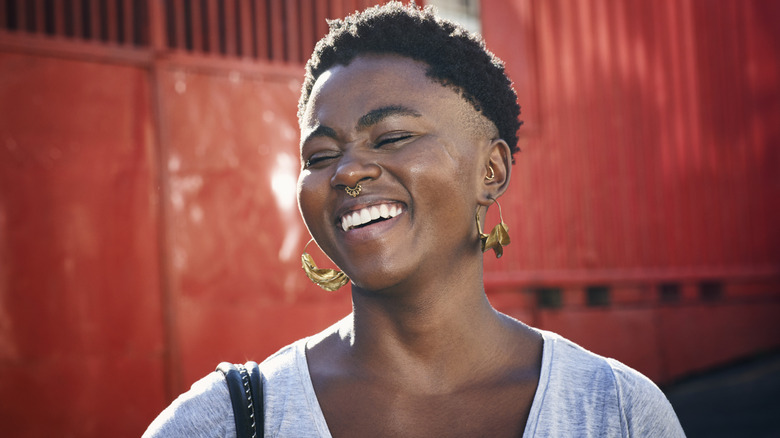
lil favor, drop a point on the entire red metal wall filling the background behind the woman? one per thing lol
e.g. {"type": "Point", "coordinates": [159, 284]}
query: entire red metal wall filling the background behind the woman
{"type": "Point", "coordinates": [148, 228]}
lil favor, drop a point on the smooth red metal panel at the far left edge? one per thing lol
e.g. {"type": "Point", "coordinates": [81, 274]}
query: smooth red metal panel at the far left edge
{"type": "Point", "coordinates": [80, 313]}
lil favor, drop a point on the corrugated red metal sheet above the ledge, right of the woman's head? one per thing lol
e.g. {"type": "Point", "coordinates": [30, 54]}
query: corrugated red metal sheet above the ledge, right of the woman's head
{"type": "Point", "coordinates": [651, 136]}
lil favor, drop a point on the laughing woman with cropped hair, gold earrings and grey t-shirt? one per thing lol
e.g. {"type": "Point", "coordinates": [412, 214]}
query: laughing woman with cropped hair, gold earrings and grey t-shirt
{"type": "Point", "coordinates": [408, 130]}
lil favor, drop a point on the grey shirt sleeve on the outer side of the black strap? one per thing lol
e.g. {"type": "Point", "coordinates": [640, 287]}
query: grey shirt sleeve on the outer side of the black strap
{"type": "Point", "coordinates": [202, 412]}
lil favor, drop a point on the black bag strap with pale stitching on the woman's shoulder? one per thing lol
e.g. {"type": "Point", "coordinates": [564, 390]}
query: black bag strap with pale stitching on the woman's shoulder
{"type": "Point", "coordinates": [245, 384]}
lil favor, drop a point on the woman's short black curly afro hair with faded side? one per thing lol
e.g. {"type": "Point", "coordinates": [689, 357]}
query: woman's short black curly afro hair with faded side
{"type": "Point", "coordinates": [455, 57]}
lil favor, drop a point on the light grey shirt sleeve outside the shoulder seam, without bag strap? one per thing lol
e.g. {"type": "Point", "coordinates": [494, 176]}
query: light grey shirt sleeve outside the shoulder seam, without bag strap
{"type": "Point", "coordinates": [645, 410]}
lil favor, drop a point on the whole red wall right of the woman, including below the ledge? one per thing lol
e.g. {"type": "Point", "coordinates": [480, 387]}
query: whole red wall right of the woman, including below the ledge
{"type": "Point", "coordinates": [649, 166]}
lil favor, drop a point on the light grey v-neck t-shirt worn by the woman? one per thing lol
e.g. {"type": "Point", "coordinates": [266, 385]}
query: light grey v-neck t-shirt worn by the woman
{"type": "Point", "coordinates": [580, 394]}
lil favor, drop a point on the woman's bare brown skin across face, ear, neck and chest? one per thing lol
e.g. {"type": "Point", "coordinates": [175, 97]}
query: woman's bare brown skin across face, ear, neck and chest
{"type": "Point", "coordinates": [423, 352]}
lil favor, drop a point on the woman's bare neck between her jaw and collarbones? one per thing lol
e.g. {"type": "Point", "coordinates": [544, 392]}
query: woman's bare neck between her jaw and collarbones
{"type": "Point", "coordinates": [431, 332]}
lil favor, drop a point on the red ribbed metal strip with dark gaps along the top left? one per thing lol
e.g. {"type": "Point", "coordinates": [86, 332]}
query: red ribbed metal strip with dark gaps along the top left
{"type": "Point", "coordinates": [269, 30]}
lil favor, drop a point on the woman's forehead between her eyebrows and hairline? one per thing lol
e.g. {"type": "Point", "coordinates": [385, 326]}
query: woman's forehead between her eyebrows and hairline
{"type": "Point", "coordinates": [347, 92]}
